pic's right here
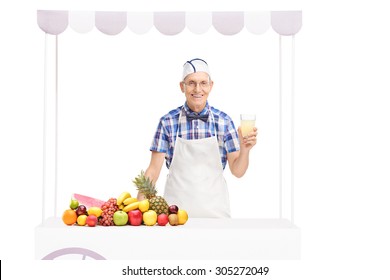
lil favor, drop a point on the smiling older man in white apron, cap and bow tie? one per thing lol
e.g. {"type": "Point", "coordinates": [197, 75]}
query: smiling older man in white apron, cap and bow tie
{"type": "Point", "coordinates": [197, 140]}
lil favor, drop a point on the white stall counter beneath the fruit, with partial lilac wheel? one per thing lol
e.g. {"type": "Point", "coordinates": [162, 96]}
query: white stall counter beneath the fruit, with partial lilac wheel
{"type": "Point", "coordinates": [213, 239]}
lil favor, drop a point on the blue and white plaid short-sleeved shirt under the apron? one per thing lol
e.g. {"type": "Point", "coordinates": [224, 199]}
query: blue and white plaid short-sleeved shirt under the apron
{"type": "Point", "coordinates": [167, 129]}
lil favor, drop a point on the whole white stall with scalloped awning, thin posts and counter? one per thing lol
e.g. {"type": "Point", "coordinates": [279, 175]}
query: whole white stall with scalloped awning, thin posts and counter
{"type": "Point", "coordinates": [237, 238]}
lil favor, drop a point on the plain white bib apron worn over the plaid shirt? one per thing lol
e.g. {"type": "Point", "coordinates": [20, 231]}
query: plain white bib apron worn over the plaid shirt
{"type": "Point", "coordinates": [195, 181]}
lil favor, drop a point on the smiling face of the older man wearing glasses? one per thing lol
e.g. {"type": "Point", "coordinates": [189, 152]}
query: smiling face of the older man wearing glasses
{"type": "Point", "coordinates": [196, 87]}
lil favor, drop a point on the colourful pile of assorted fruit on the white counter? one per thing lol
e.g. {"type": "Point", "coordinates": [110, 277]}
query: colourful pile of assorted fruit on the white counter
{"type": "Point", "coordinates": [125, 210]}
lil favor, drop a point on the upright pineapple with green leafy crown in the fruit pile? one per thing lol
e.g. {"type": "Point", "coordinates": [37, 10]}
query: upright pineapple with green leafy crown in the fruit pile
{"type": "Point", "coordinates": [148, 189]}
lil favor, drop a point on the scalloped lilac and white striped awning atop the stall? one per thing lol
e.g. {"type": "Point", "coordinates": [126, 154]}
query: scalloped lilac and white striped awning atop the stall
{"type": "Point", "coordinates": [55, 22]}
